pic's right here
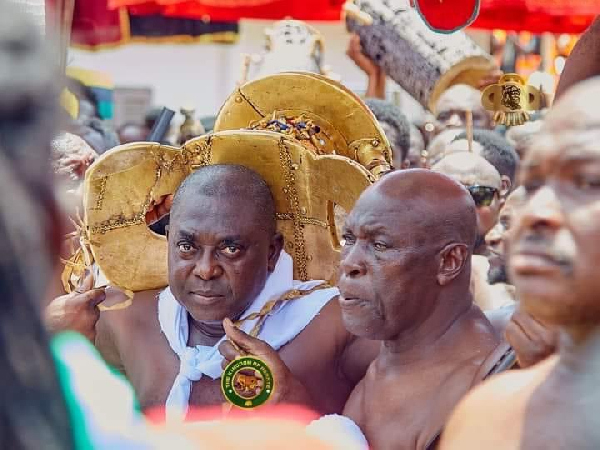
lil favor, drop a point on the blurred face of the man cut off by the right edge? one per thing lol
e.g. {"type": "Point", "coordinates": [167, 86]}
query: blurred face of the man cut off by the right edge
{"type": "Point", "coordinates": [553, 249]}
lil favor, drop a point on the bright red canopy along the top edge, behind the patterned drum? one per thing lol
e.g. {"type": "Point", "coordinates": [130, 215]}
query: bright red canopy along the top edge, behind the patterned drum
{"type": "Point", "coordinates": [536, 16]}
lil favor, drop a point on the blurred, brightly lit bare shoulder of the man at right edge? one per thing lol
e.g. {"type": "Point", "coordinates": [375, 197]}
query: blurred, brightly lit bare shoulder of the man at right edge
{"type": "Point", "coordinates": [493, 409]}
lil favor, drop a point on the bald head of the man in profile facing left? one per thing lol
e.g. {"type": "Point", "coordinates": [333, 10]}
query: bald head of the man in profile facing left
{"type": "Point", "coordinates": [407, 253]}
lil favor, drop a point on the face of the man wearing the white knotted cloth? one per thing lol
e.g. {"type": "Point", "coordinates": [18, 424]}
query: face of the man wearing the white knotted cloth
{"type": "Point", "coordinates": [219, 255]}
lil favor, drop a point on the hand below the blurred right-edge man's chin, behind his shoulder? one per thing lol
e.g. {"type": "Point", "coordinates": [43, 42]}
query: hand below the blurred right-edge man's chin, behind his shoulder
{"type": "Point", "coordinates": [531, 340]}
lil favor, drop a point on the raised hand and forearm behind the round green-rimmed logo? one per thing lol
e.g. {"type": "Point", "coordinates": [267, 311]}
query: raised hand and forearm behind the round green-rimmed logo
{"type": "Point", "coordinates": [287, 388]}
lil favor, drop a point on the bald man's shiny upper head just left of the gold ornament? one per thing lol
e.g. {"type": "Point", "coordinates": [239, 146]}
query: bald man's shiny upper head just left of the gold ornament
{"type": "Point", "coordinates": [452, 107]}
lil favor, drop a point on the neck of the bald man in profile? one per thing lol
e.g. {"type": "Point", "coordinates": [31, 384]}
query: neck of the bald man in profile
{"type": "Point", "coordinates": [424, 339]}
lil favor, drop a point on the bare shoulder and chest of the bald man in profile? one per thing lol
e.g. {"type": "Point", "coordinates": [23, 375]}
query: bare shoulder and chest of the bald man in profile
{"type": "Point", "coordinates": [421, 393]}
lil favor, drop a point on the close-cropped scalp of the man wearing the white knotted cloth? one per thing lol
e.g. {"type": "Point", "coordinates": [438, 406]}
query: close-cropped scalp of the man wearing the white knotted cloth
{"type": "Point", "coordinates": [226, 181]}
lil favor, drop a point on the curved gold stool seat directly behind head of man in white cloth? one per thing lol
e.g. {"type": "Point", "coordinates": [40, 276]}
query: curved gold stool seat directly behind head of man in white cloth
{"type": "Point", "coordinates": [122, 184]}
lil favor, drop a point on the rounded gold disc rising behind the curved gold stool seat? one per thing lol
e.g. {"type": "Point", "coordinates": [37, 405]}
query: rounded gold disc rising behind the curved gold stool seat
{"type": "Point", "coordinates": [345, 123]}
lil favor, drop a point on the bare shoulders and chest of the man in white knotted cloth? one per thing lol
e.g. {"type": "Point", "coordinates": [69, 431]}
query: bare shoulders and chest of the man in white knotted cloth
{"type": "Point", "coordinates": [324, 357]}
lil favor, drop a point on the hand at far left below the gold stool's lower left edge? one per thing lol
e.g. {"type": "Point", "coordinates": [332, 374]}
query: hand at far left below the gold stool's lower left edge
{"type": "Point", "coordinates": [77, 311]}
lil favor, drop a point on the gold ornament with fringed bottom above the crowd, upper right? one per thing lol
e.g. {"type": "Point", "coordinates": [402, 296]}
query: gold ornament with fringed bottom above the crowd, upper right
{"type": "Point", "coordinates": [511, 100]}
